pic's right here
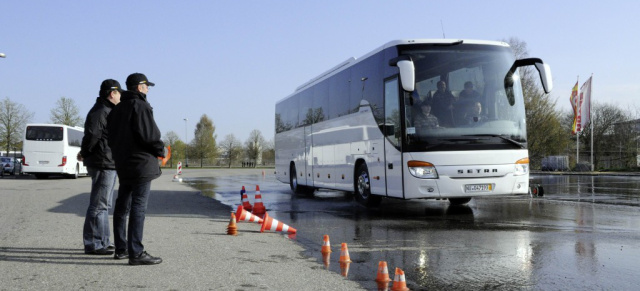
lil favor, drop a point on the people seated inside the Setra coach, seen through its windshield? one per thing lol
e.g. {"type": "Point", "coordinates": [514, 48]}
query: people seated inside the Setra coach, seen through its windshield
{"type": "Point", "coordinates": [443, 109]}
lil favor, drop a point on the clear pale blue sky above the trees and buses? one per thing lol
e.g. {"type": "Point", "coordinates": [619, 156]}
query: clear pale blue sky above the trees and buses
{"type": "Point", "coordinates": [232, 60]}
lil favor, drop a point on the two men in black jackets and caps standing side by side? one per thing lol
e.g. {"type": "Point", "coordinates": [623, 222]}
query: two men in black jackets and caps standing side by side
{"type": "Point", "coordinates": [120, 138]}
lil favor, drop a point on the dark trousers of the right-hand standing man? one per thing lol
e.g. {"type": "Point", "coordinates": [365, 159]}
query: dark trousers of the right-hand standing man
{"type": "Point", "coordinates": [132, 201]}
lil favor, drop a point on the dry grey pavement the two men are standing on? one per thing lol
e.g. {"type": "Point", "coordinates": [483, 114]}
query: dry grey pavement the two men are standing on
{"type": "Point", "coordinates": [41, 243]}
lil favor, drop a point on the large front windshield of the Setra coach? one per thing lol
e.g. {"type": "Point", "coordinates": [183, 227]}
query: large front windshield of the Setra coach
{"type": "Point", "coordinates": [460, 102]}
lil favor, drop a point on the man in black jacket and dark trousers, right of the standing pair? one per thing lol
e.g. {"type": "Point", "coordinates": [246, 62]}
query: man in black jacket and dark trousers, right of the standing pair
{"type": "Point", "coordinates": [136, 145]}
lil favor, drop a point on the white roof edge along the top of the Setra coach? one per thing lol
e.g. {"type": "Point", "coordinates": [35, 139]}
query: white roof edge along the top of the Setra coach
{"type": "Point", "coordinates": [351, 61]}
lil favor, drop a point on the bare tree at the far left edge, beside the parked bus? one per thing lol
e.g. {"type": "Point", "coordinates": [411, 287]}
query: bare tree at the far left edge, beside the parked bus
{"type": "Point", "coordinates": [13, 120]}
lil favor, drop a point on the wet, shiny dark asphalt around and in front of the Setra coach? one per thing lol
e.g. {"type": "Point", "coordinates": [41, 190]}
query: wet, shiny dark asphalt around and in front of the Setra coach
{"type": "Point", "coordinates": [583, 234]}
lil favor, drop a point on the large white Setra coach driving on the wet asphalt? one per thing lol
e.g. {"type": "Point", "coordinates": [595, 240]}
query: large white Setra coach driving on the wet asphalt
{"type": "Point", "coordinates": [354, 128]}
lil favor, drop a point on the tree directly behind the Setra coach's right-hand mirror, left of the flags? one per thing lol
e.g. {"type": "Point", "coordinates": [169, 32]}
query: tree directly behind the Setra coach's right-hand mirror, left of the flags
{"type": "Point", "coordinates": [545, 135]}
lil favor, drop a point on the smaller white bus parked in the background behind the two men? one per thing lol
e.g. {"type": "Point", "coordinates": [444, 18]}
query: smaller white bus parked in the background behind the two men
{"type": "Point", "coordinates": [52, 149]}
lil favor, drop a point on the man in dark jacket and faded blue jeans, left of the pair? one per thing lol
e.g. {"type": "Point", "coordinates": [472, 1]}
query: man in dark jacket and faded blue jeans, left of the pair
{"type": "Point", "coordinates": [96, 154]}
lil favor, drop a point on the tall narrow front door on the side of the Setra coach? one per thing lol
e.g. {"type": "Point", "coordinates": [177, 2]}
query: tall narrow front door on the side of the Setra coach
{"type": "Point", "coordinates": [393, 132]}
